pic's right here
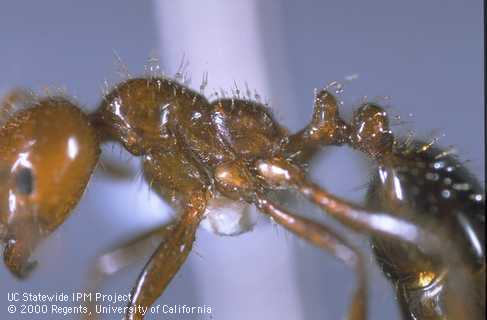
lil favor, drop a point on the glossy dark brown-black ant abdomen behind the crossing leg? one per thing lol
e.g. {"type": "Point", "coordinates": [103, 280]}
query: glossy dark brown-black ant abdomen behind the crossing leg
{"type": "Point", "coordinates": [420, 182]}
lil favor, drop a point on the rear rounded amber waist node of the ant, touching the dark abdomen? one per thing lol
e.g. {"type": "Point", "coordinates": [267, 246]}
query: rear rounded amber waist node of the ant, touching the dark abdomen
{"type": "Point", "coordinates": [370, 131]}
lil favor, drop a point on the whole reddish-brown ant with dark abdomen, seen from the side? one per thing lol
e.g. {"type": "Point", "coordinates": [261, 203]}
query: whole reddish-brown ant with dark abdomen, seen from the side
{"type": "Point", "coordinates": [424, 212]}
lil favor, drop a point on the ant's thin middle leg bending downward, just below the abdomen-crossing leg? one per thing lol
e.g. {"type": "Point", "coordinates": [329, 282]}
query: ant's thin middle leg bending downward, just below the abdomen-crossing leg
{"type": "Point", "coordinates": [322, 237]}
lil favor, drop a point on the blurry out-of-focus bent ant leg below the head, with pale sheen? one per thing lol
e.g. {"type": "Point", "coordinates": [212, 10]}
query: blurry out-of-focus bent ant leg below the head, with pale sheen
{"type": "Point", "coordinates": [119, 258]}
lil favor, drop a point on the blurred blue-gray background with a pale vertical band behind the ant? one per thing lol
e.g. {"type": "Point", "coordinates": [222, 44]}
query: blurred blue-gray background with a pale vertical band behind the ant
{"type": "Point", "coordinates": [425, 56]}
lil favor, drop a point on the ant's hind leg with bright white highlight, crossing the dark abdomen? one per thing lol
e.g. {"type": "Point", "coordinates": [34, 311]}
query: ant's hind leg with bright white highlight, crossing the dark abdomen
{"type": "Point", "coordinates": [428, 238]}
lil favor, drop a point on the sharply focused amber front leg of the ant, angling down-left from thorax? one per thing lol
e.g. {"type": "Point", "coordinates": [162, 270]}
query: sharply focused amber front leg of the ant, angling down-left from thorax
{"type": "Point", "coordinates": [171, 173]}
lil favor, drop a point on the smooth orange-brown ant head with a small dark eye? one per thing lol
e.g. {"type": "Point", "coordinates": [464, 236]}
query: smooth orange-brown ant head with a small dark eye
{"type": "Point", "coordinates": [47, 154]}
